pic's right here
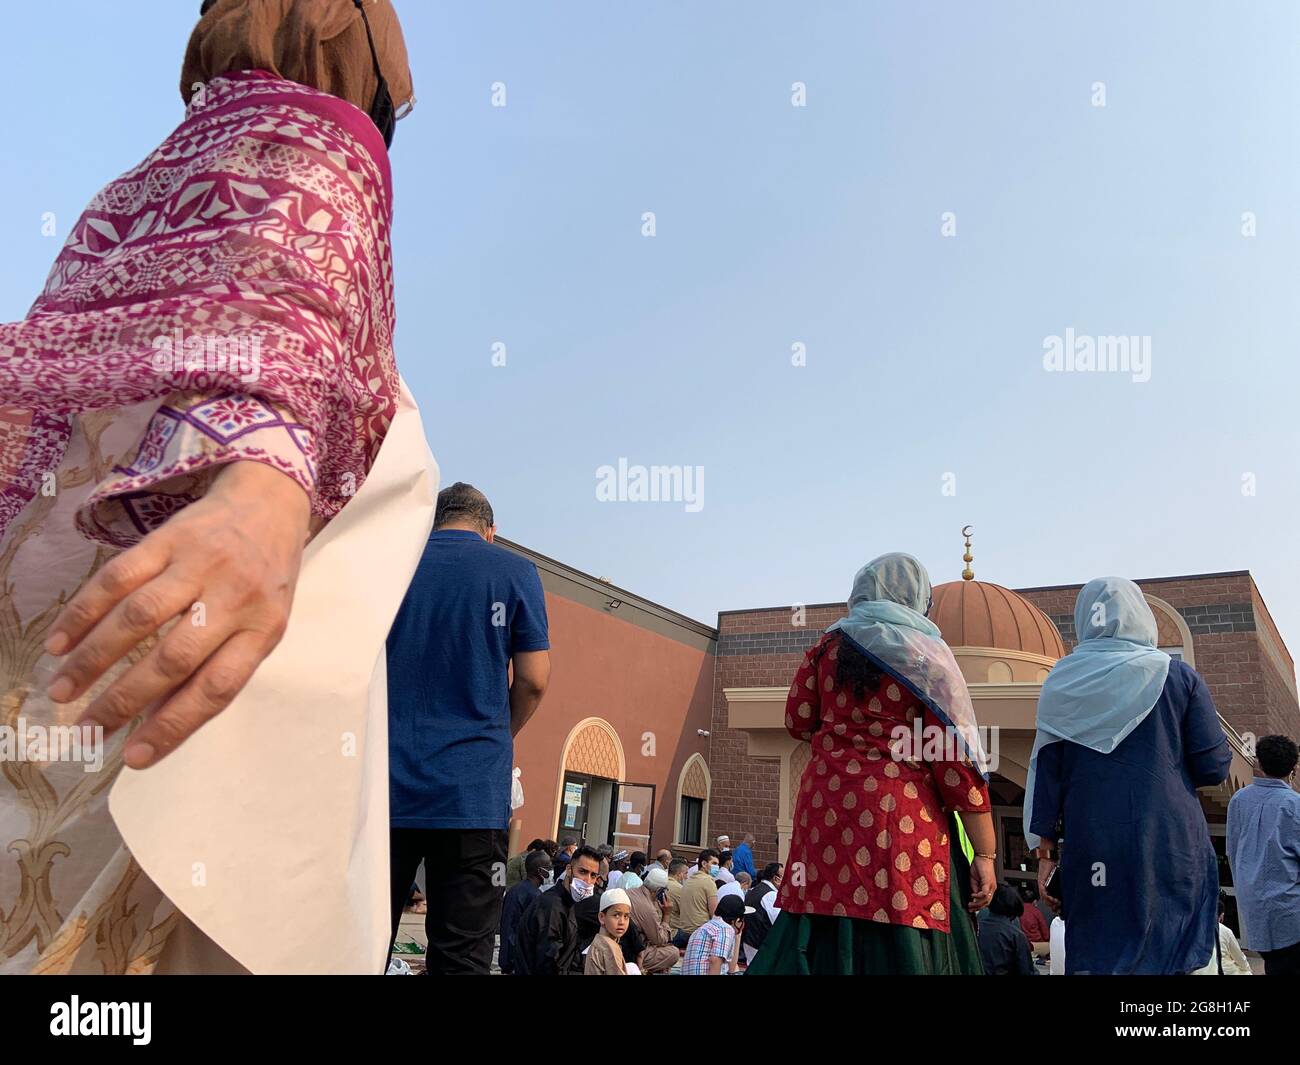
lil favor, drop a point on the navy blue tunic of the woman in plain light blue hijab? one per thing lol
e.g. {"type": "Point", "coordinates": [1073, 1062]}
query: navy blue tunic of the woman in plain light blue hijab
{"type": "Point", "coordinates": [1139, 876]}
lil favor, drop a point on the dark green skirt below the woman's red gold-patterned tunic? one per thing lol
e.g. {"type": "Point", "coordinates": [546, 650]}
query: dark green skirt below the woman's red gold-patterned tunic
{"type": "Point", "coordinates": [808, 945]}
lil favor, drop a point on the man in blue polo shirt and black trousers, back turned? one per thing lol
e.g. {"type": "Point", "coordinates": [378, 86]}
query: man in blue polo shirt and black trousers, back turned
{"type": "Point", "coordinates": [469, 665]}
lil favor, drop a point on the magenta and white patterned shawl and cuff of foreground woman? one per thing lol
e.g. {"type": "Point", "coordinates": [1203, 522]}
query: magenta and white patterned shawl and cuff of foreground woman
{"type": "Point", "coordinates": [242, 274]}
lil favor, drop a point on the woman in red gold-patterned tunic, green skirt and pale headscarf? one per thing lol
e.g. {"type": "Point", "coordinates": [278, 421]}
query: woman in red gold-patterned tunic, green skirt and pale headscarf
{"type": "Point", "coordinates": [873, 878]}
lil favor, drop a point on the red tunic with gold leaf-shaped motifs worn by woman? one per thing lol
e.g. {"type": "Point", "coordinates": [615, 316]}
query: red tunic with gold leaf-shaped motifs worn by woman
{"type": "Point", "coordinates": [870, 832]}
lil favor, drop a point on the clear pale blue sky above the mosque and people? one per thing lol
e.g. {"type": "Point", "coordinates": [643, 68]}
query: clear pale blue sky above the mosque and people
{"type": "Point", "coordinates": [817, 226]}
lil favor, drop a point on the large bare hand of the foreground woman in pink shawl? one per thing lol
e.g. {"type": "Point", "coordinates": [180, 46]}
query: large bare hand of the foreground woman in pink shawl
{"type": "Point", "coordinates": [224, 570]}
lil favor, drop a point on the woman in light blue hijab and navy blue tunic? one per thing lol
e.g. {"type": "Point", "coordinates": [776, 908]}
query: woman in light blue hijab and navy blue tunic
{"type": "Point", "coordinates": [1125, 737]}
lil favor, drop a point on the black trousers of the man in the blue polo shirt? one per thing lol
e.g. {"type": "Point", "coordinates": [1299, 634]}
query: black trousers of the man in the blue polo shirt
{"type": "Point", "coordinates": [465, 903]}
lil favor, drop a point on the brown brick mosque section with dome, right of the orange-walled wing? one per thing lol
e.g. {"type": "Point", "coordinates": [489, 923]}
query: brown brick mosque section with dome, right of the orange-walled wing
{"type": "Point", "coordinates": [1006, 643]}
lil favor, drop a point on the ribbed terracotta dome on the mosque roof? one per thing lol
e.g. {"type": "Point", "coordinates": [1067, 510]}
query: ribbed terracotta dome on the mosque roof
{"type": "Point", "coordinates": [978, 614]}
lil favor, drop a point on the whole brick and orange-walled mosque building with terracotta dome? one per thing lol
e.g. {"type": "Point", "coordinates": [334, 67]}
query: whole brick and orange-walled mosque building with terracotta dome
{"type": "Point", "coordinates": [664, 733]}
